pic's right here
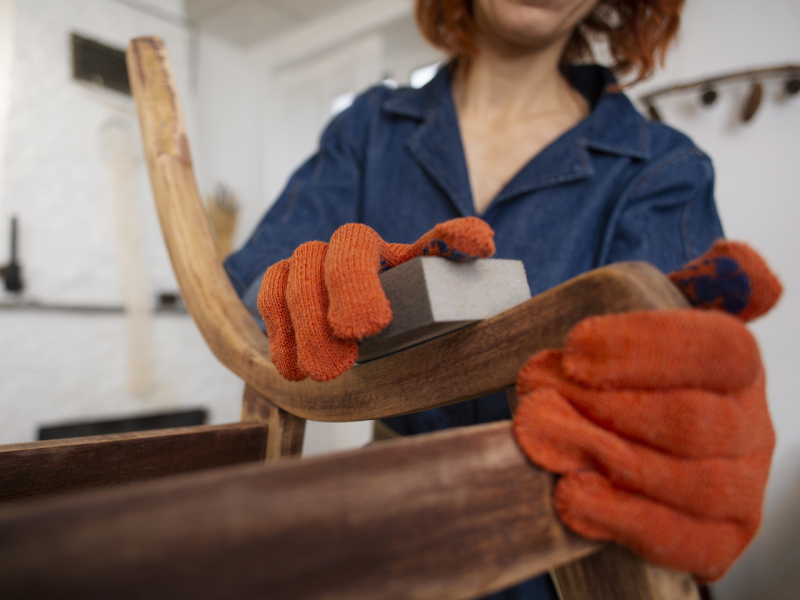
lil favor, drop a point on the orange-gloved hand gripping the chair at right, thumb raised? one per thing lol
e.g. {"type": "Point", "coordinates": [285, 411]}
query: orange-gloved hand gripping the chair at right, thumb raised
{"type": "Point", "coordinates": [658, 420]}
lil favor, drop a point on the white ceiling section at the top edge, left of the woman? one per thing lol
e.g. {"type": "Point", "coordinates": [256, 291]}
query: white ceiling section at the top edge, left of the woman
{"type": "Point", "coordinates": [249, 22]}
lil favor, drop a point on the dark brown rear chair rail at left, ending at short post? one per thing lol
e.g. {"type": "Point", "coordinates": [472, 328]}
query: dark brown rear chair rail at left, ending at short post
{"type": "Point", "coordinates": [57, 466]}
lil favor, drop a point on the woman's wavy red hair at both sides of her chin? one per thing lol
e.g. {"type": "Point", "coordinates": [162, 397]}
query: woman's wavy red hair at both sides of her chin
{"type": "Point", "coordinates": [638, 32]}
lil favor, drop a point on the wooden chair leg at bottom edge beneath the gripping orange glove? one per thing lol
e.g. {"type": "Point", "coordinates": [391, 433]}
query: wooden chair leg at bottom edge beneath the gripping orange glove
{"type": "Point", "coordinates": [615, 573]}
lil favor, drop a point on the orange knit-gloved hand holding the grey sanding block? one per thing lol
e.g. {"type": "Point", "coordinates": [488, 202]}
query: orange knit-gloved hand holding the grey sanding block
{"type": "Point", "coordinates": [326, 297]}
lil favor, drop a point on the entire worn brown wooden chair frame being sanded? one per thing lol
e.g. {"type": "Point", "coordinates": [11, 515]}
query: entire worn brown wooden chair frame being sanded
{"type": "Point", "coordinates": [456, 514]}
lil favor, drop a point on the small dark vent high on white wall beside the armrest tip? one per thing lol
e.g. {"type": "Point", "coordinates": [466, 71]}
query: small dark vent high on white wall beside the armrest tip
{"type": "Point", "coordinates": [99, 64]}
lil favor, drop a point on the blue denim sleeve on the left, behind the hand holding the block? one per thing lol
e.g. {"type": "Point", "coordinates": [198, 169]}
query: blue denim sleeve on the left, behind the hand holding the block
{"type": "Point", "coordinates": [323, 194]}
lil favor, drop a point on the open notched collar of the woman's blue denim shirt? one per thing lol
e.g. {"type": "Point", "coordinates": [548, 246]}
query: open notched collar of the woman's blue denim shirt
{"type": "Point", "coordinates": [612, 127]}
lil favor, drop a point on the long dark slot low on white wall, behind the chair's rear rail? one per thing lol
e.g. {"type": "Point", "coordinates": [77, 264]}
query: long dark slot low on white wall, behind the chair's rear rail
{"type": "Point", "coordinates": [186, 418]}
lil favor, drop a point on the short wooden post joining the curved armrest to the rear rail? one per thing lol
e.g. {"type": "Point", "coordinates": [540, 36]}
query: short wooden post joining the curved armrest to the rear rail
{"type": "Point", "coordinates": [286, 431]}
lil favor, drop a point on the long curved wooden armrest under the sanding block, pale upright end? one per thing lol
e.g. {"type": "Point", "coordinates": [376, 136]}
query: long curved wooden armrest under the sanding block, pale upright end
{"type": "Point", "coordinates": [472, 362]}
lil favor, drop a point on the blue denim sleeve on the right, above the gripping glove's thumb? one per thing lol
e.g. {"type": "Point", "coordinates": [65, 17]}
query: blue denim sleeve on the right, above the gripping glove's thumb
{"type": "Point", "coordinates": [668, 216]}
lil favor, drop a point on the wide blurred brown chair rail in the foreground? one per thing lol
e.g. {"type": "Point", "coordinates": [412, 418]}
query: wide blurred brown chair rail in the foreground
{"type": "Point", "coordinates": [450, 515]}
